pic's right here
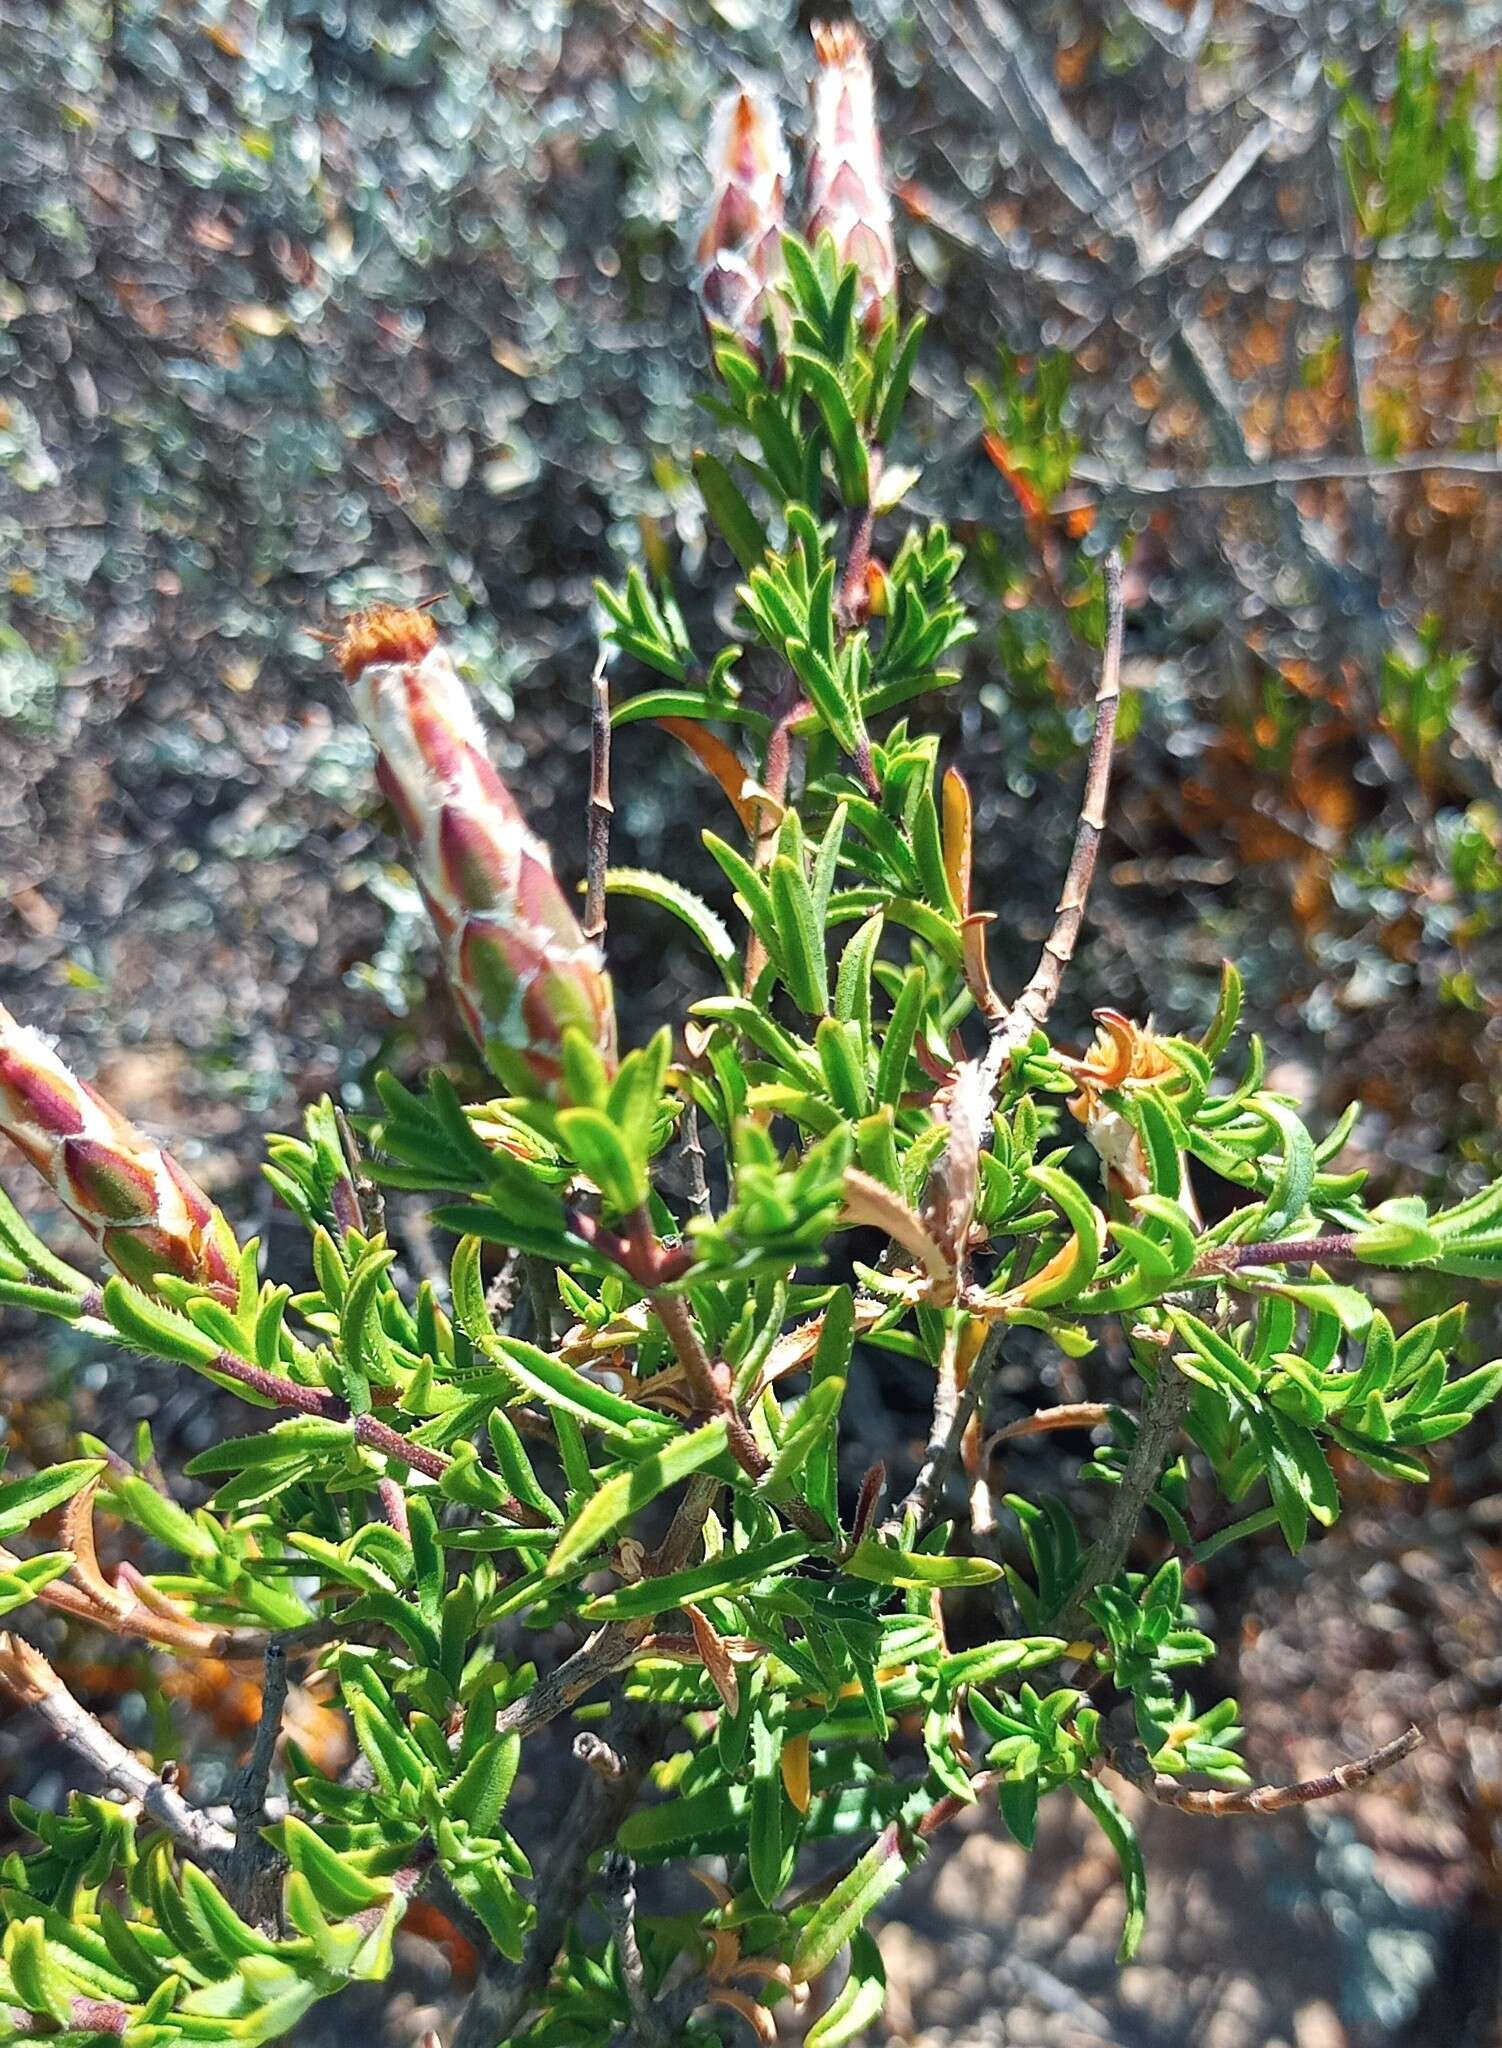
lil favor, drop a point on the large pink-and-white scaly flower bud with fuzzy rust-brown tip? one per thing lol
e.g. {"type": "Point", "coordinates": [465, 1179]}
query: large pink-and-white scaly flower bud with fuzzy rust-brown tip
{"type": "Point", "coordinates": [517, 962]}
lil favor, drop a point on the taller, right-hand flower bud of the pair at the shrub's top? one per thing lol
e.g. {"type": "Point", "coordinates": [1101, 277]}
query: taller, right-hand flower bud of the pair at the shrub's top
{"type": "Point", "coordinates": [847, 191]}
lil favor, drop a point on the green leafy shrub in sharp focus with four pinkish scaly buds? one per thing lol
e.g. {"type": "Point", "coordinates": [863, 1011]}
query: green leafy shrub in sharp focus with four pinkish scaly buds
{"type": "Point", "coordinates": [622, 1418]}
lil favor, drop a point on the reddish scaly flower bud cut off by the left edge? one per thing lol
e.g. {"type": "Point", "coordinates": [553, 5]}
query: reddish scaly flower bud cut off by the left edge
{"type": "Point", "coordinates": [138, 1205]}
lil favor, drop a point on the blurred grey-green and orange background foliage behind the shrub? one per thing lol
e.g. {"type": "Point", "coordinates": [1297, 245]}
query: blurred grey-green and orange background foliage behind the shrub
{"type": "Point", "coordinates": [329, 300]}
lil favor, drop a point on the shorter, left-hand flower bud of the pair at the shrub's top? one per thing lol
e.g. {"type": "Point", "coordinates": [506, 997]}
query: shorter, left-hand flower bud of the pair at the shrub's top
{"type": "Point", "coordinates": [743, 243]}
